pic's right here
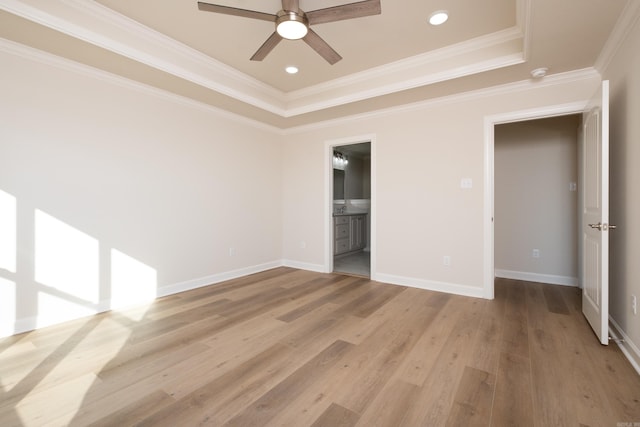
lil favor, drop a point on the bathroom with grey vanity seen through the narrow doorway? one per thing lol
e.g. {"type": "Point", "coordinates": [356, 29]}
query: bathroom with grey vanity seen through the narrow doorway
{"type": "Point", "coordinates": [351, 209]}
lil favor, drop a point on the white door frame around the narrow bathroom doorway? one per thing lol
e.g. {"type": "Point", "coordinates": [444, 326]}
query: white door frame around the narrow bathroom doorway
{"type": "Point", "coordinates": [329, 145]}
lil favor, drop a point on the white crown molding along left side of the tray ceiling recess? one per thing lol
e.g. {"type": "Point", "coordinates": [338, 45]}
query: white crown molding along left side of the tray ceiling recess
{"type": "Point", "coordinates": [98, 25]}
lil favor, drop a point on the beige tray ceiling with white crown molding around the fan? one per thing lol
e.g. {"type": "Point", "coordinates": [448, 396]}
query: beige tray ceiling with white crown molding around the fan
{"type": "Point", "coordinates": [388, 60]}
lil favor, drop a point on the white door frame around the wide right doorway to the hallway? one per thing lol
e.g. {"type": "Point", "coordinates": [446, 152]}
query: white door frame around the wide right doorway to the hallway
{"type": "Point", "coordinates": [489, 179]}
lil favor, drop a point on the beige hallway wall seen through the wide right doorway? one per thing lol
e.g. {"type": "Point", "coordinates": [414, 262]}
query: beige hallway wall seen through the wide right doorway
{"type": "Point", "coordinates": [535, 162]}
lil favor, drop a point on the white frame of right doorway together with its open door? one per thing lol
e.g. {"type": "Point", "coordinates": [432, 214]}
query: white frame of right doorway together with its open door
{"type": "Point", "coordinates": [593, 196]}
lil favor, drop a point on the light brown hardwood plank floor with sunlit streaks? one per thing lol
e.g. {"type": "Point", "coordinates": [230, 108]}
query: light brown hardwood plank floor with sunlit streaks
{"type": "Point", "coordinates": [295, 348]}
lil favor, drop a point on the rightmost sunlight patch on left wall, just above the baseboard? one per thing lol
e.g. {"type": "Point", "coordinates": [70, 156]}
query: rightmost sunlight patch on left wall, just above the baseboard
{"type": "Point", "coordinates": [132, 282]}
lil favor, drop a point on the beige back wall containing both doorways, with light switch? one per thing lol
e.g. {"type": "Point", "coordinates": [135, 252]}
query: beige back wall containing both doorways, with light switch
{"type": "Point", "coordinates": [421, 214]}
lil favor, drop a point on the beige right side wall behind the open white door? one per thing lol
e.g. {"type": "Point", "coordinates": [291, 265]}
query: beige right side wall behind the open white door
{"type": "Point", "coordinates": [624, 75]}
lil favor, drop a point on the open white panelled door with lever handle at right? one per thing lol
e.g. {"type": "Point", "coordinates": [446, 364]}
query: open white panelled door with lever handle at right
{"type": "Point", "coordinates": [595, 214]}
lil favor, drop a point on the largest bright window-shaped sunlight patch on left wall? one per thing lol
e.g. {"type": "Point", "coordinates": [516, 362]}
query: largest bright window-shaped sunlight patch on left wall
{"type": "Point", "coordinates": [66, 259]}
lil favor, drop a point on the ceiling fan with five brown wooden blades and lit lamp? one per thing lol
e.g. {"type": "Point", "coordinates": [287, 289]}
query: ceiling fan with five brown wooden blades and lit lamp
{"type": "Point", "coordinates": [293, 23]}
